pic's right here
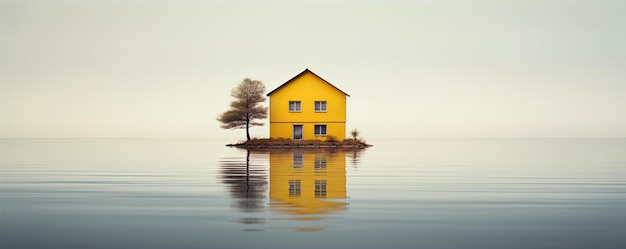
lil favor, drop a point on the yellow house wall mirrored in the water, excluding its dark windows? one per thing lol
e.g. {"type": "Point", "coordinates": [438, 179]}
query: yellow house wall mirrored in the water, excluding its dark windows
{"type": "Point", "coordinates": [282, 170]}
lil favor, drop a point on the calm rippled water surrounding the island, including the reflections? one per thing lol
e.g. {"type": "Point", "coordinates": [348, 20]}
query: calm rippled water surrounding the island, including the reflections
{"type": "Point", "coordinates": [421, 193]}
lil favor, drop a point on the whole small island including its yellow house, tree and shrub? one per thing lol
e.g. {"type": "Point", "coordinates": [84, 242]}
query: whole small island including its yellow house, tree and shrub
{"type": "Point", "coordinates": [305, 112]}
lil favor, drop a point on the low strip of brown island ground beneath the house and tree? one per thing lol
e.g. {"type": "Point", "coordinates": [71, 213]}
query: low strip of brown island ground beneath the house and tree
{"type": "Point", "coordinates": [258, 143]}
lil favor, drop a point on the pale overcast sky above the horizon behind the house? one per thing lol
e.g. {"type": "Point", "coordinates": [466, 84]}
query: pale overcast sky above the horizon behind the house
{"type": "Point", "coordinates": [161, 68]}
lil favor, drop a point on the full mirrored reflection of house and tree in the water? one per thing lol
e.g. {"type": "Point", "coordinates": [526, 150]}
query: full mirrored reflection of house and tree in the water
{"type": "Point", "coordinates": [307, 188]}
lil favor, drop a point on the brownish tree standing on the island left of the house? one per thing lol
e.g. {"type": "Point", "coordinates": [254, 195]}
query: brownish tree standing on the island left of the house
{"type": "Point", "coordinates": [247, 108]}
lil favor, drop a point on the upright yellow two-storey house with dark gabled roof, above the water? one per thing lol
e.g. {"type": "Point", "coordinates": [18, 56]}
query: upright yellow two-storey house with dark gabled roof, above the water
{"type": "Point", "coordinates": [307, 107]}
